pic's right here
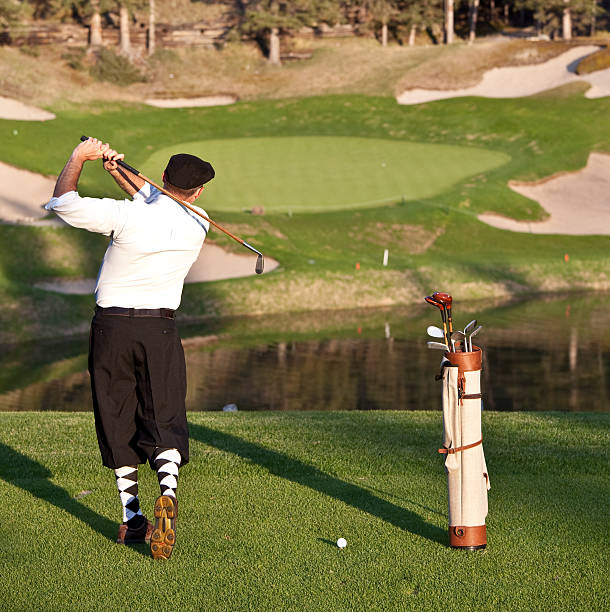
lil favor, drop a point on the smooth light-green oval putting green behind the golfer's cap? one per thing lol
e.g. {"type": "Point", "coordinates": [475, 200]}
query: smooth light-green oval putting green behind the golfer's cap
{"type": "Point", "coordinates": [326, 173]}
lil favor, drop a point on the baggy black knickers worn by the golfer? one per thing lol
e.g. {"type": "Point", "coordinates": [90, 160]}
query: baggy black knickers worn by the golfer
{"type": "Point", "coordinates": [138, 381]}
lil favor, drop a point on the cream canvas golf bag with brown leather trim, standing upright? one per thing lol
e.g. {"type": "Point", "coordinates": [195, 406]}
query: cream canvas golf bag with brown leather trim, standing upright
{"type": "Point", "coordinates": [467, 478]}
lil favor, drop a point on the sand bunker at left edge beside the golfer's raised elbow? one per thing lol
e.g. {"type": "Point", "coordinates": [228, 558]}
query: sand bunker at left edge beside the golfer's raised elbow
{"type": "Point", "coordinates": [23, 194]}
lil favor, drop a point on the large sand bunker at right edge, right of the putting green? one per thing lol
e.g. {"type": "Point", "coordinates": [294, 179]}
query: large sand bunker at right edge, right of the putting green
{"type": "Point", "coordinates": [578, 202]}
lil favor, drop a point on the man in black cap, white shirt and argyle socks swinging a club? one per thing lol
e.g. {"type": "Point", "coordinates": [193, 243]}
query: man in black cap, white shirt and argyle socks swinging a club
{"type": "Point", "coordinates": [136, 361]}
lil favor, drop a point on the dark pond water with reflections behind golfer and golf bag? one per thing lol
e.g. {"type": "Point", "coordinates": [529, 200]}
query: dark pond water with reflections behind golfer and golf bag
{"type": "Point", "coordinates": [551, 354]}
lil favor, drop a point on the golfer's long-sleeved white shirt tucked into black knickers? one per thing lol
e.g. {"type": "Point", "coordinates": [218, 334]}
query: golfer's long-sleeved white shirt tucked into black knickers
{"type": "Point", "coordinates": [154, 241]}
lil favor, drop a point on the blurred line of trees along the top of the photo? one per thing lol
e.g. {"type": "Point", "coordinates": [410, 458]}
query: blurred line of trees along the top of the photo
{"type": "Point", "coordinates": [269, 21]}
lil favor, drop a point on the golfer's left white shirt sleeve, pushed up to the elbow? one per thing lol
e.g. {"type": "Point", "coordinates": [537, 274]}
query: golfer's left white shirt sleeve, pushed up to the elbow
{"type": "Point", "coordinates": [100, 215]}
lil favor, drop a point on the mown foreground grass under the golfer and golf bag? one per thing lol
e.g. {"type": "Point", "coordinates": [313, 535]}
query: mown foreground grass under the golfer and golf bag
{"type": "Point", "coordinates": [265, 497]}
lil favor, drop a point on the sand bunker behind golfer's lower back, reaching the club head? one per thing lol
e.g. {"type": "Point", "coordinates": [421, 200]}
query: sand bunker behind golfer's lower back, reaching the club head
{"type": "Point", "coordinates": [213, 264]}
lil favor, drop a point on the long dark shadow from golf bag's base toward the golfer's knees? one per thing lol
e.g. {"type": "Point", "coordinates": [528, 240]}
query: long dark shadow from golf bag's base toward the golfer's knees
{"type": "Point", "coordinates": [298, 472]}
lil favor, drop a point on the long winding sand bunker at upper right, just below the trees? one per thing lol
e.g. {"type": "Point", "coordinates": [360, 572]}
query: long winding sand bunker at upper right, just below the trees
{"type": "Point", "coordinates": [520, 81]}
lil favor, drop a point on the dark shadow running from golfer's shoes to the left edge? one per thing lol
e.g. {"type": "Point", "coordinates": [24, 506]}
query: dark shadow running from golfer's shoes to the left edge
{"type": "Point", "coordinates": [29, 475]}
